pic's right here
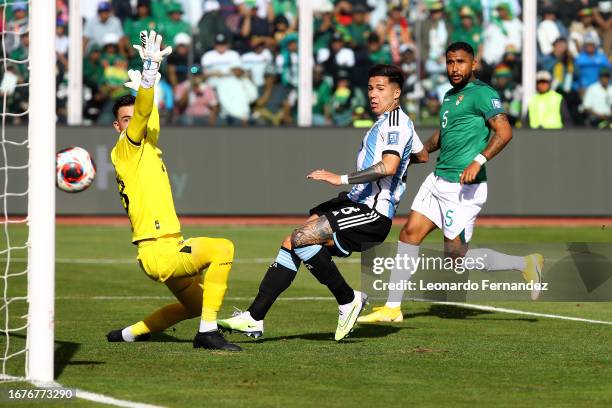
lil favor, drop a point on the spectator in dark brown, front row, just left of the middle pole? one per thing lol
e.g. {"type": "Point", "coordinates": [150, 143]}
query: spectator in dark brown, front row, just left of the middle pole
{"type": "Point", "coordinates": [272, 107]}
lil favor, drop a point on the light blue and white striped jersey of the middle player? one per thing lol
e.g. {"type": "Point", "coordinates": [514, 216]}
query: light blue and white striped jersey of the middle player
{"type": "Point", "coordinates": [393, 133]}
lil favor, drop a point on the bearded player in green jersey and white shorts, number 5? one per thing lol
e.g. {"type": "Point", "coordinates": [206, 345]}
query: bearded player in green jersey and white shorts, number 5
{"type": "Point", "coordinates": [473, 130]}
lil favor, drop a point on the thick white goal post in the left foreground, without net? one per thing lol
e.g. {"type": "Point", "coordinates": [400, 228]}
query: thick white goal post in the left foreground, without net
{"type": "Point", "coordinates": [41, 191]}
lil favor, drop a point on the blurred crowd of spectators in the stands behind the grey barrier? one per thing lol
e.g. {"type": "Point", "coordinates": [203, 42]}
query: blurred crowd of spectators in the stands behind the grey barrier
{"type": "Point", "coordinates": [235, 62]}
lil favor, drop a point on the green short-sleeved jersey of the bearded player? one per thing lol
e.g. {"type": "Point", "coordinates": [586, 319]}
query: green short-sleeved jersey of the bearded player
{"type": "Point", "coordinates": [464, 132]}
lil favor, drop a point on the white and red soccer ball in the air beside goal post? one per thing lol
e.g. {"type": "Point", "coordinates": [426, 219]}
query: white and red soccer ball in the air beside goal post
{"type": "Point", "coordinates": [74, 169]}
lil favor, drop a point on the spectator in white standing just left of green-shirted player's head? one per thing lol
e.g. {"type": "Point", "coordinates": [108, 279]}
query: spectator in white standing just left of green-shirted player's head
{"type": "Point", "coordinates": [434, 39]}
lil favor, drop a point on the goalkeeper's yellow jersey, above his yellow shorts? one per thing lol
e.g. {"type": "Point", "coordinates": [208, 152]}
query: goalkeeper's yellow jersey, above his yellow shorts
{"type": "Point", "coordinates": [144, 185]}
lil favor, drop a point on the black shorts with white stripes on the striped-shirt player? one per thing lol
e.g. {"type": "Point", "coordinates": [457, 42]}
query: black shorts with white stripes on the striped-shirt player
{"type": "Point", "coordinates": [356, 226]}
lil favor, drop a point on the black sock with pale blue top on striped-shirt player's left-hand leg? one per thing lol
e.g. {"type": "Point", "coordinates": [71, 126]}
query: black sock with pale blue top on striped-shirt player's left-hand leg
{"type": "Point", "coordinates": [277, 279]}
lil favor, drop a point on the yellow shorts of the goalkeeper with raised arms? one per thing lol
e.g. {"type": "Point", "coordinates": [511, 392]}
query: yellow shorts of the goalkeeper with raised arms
{"type": "Point", "coordinates": [173, 256]}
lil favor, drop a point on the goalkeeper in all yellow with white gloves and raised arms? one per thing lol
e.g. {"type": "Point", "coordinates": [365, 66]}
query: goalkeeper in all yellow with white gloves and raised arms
{"type": "Point", "coordinates": [144, 188]}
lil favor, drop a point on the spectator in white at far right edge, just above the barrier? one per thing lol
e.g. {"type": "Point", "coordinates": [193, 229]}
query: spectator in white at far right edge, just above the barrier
{"type": "Point", "coordinates": [598, 101]}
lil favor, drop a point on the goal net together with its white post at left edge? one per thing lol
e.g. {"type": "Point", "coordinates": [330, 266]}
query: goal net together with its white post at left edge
{"type": "Point", "coordinates": [27, 200]}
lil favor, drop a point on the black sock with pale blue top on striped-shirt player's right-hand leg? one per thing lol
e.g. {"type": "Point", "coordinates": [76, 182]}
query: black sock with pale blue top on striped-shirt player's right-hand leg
{"type": "Point", "coordinates": [319, 262]}
